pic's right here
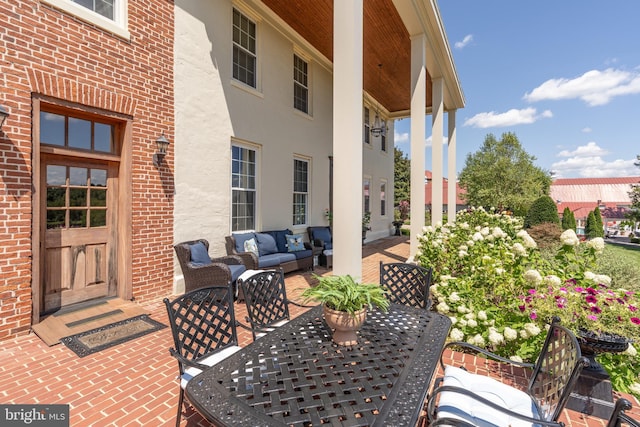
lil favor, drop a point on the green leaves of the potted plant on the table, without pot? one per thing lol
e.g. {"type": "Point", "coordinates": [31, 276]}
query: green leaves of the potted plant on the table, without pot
{"type": "Point", "coordinates": [343, 293]}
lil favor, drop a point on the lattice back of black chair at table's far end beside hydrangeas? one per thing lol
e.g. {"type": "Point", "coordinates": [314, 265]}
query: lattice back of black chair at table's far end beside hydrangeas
{"type": "Point", "coordinates": [407, 284]}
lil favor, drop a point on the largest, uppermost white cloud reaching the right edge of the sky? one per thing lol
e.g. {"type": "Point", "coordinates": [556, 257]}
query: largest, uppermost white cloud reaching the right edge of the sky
{"type": "Point", "coordinates": [593, 87]}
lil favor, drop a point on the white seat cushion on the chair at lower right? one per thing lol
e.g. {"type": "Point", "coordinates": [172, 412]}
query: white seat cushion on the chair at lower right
{"type": "Point", "coordinates": [462, 407]}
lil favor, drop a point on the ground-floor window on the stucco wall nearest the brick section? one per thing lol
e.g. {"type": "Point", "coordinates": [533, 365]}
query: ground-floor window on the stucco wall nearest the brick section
{"type": "Point", "coordinates": [243, 188]}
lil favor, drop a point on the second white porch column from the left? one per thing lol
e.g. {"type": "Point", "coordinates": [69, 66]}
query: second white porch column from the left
{"type": "Point", "coordinates": [418, 124]}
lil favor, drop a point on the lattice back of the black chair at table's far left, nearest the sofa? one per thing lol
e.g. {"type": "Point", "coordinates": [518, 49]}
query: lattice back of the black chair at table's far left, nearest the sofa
{"type": "Point", "coordinates": [266, 299]}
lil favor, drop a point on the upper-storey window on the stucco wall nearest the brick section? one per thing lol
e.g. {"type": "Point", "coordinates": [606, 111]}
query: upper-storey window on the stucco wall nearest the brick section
{"type": "Point", "coordinates": [244, 49]}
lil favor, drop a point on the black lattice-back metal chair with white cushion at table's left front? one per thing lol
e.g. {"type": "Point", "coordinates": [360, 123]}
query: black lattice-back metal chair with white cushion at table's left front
{"type": "Point", "coordinates": [203, 326]}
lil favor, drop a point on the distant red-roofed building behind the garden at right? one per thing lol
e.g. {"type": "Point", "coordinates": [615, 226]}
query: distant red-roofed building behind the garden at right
{"type": "Point", "coordinates": [582, 195]}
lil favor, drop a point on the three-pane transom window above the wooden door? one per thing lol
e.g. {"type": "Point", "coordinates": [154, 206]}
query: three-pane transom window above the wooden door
{"type": "Point", "coordinates": [76, 133]}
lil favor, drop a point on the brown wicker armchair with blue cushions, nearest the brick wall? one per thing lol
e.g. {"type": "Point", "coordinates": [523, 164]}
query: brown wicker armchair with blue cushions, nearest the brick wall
{"type": "Point", "coordinates": [221, 271]}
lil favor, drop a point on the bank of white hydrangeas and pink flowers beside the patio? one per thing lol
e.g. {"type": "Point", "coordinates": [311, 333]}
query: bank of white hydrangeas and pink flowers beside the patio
{"type": "Point", "coordinates": [500, 293]}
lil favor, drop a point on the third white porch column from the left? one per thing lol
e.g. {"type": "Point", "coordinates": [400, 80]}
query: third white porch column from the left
{"type": "Point", "coordinates": [437, 139]}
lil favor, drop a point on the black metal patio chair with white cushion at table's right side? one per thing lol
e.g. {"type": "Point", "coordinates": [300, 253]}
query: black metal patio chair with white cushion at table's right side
{"type": "Point", "coordinates": [462, 398]}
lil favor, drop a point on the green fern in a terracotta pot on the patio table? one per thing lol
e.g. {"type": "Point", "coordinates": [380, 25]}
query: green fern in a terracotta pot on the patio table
{"type": "Point", "coordinates": [345, 304]}
